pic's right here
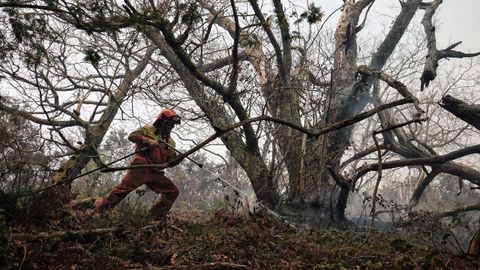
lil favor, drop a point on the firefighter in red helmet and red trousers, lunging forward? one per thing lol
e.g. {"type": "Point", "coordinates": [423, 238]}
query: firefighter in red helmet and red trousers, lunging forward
{"type": "Point", "coordinates": [153, 138]}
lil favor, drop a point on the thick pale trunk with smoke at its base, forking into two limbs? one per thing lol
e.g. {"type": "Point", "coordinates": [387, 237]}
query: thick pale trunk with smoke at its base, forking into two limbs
{"type": "Point", "coordinates": [346, 100]}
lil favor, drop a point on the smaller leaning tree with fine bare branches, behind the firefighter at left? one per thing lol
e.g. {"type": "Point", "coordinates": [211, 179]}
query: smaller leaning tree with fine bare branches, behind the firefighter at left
{"type": "Point", "coordinates": [77, 99]}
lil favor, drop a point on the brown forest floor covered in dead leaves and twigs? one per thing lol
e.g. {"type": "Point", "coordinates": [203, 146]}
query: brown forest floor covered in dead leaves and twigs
{"type": "Point", "coordinates": [222, 240]}
